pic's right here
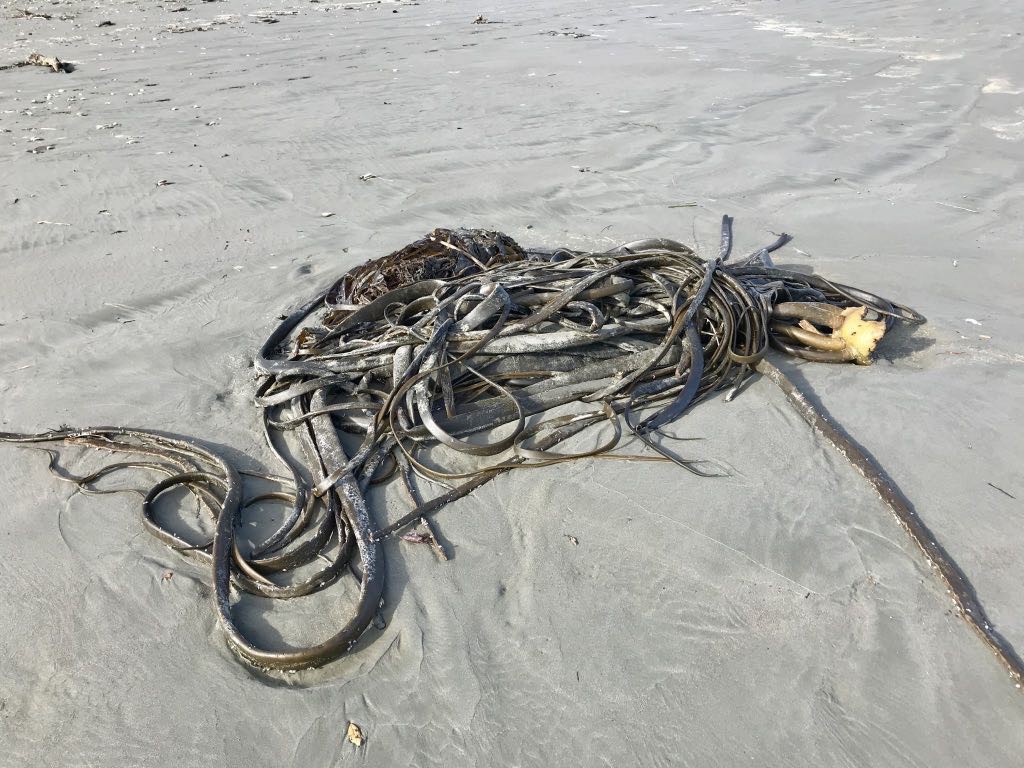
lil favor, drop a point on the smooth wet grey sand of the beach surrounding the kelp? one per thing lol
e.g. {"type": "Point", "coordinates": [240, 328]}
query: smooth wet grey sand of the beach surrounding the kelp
{"type": "Point", "coordinates": [161, 205]}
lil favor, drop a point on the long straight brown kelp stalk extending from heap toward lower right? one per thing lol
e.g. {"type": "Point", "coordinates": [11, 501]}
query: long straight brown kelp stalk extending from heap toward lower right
{"type": "Point", "coordinates": [955, 579]}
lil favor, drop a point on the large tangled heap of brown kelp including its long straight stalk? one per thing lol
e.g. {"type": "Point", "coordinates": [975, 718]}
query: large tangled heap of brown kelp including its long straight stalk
{"type": "Point", "coordinates": [462, 357]}
